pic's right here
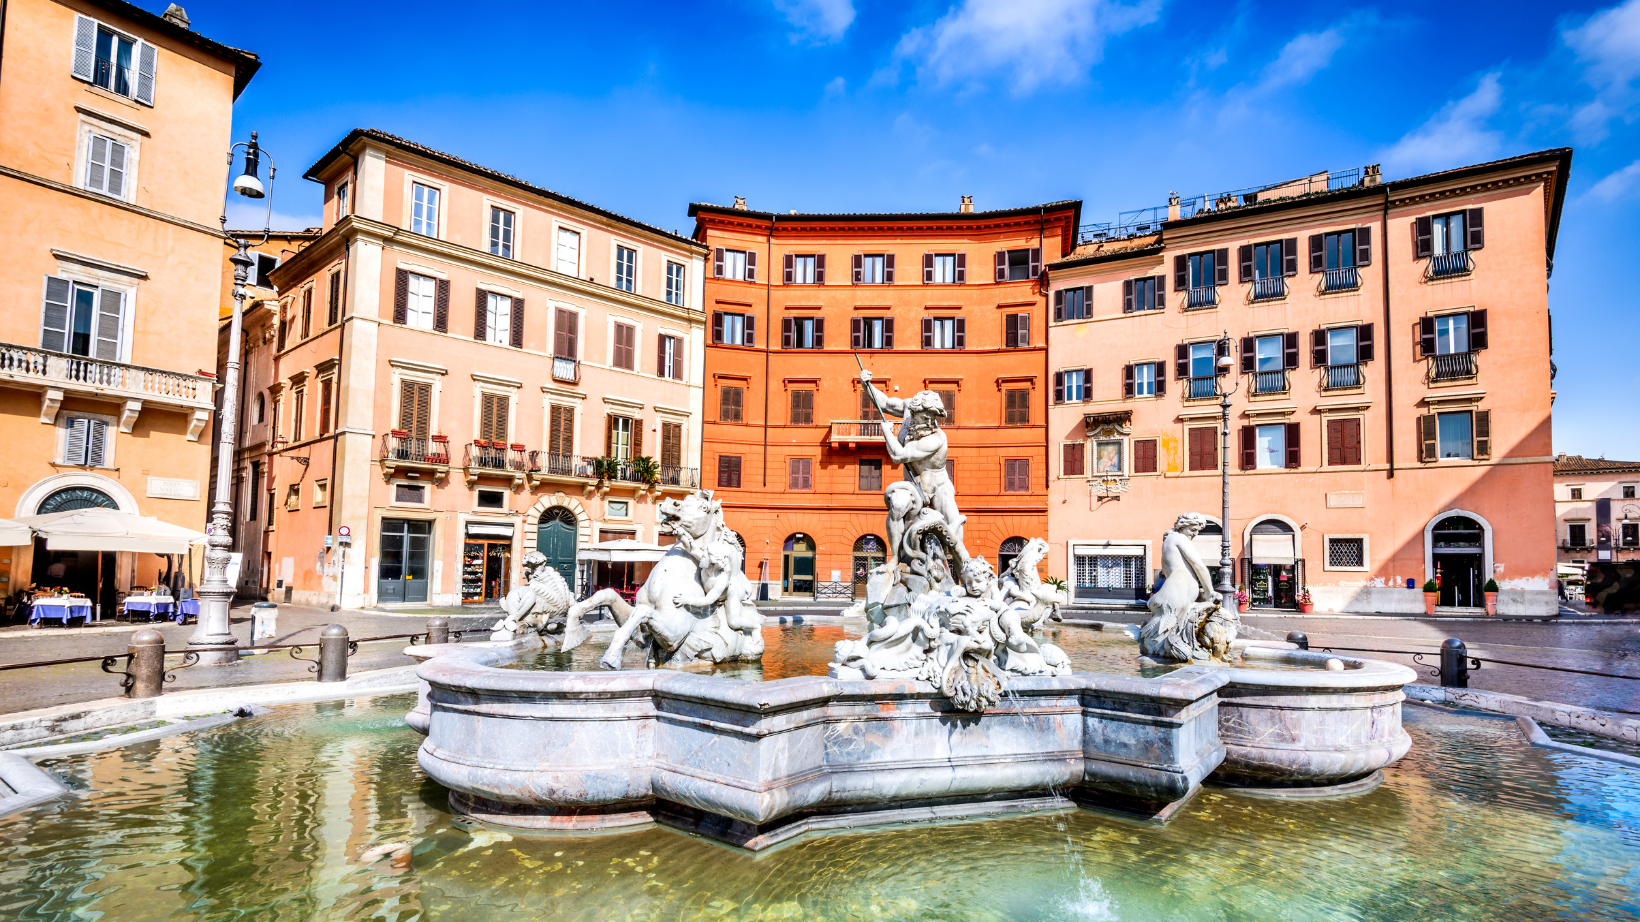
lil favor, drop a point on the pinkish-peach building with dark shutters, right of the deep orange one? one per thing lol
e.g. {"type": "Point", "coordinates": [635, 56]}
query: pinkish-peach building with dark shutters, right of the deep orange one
{"type": "Point", "coordinates": [1390, 362]}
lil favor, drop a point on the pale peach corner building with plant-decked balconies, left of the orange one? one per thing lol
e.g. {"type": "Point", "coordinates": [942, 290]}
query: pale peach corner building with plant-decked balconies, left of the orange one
{"type": "Point", "coordinates": [470, 368]}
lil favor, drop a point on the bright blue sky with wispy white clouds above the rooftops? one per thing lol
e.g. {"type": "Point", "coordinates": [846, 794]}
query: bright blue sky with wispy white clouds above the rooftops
{"type": "Point", "coordinates": [839, 106]}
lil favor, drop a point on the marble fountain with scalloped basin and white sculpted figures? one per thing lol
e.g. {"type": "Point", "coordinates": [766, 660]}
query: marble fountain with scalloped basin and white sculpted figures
{"type": "Point", "coordinates": [954, 705]}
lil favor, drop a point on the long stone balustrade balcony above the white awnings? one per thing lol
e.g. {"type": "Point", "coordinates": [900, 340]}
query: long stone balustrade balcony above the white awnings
{"type": "Point", "coordinates": [58, 375]}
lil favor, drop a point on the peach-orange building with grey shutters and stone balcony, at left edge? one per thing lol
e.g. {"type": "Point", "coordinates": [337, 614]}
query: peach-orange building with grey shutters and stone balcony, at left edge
{"type": "Point", "coordinates": [112, 181]}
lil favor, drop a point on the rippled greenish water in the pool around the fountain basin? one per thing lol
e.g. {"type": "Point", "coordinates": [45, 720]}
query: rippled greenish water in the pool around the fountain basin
{"type": "Point", "coordinates": [268, 819]}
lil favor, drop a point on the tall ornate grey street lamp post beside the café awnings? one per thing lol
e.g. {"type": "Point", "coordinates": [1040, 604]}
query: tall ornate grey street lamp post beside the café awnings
{"type": "Point", "coordinates": [216, 591]}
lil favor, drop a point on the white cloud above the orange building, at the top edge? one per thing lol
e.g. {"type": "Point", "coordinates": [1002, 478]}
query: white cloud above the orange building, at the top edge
{"type": "Point", "coordinates": [1050, 42]}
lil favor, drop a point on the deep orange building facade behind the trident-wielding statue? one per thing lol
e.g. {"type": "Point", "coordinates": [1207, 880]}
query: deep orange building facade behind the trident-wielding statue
{"type": "Point", "coordinates": [945, 303]}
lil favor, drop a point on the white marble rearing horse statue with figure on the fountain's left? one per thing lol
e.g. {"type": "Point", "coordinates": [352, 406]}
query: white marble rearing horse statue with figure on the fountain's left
{"type": "Point", "coordinates": [695, 608]}
